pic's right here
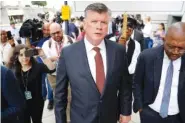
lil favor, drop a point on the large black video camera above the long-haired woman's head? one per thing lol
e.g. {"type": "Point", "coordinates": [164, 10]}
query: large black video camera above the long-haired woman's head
{"type": "Point", "coordinates": [31, 29]}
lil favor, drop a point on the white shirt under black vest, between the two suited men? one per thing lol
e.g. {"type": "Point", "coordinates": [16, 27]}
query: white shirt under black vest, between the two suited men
{"type": "Point", "coordinates": [137, 51]}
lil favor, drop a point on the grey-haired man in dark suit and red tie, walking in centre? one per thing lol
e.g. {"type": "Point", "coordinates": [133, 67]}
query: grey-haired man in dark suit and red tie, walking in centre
{"type": "Point", "coordinates": [98, 74]}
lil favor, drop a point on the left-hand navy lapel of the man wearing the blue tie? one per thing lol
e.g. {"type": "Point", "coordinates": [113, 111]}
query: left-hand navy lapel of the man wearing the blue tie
{"type": "Point", "coordinates": [158, 62]}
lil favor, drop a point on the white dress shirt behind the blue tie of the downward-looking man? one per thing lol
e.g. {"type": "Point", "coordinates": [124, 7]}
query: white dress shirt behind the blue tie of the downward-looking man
{"type": "Point", "coordinates": [173, 105]}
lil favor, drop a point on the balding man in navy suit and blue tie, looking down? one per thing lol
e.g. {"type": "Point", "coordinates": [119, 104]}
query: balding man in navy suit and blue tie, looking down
{"type": "Point", "coordinates": [159, 82]}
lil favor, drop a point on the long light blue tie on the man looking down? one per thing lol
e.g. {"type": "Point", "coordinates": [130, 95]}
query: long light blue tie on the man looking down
{"type": "Point", "coordinates": [167, 91]}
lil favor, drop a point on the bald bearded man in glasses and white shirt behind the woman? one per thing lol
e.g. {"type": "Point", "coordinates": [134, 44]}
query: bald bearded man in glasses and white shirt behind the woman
{"type": "Point", "coordinates": [53, 47]}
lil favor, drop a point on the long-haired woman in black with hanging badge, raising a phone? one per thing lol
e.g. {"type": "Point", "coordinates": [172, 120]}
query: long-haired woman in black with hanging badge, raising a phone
{"type": "Point", "coordinates": [29, 76]}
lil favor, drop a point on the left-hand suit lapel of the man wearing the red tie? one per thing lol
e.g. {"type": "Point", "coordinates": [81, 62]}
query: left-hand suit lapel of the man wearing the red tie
{"type": "Point", "coordinates": [86, 67]}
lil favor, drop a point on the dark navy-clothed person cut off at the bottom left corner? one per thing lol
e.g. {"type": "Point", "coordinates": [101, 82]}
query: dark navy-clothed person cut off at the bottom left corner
{"type": "Point", "coordinates": [12, 101]}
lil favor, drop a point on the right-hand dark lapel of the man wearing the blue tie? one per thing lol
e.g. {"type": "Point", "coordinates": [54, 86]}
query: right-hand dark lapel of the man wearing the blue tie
{"type": "Point", "coordinates": [182, 73]}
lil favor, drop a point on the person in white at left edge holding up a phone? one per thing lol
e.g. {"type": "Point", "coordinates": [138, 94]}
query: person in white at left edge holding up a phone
{"type": "Point", "coordinates": [6, 43]}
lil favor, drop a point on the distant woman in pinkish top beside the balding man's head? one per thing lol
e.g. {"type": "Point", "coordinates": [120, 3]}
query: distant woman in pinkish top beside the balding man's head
{"type": "Point", "coordinates": [159, 35]}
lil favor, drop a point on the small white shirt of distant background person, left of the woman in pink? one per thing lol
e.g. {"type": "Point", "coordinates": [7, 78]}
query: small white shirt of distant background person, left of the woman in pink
{"type": "Point", "coordinates": [147, 31]}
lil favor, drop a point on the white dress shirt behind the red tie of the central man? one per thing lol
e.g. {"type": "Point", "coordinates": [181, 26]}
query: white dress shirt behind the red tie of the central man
{"type": "Point", "coordinates": [91, 54]}
